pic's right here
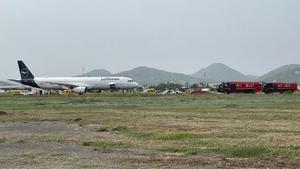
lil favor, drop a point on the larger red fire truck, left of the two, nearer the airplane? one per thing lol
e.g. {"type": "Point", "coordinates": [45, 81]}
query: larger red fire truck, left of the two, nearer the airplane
{"type": "Point", "coordinates": [240, 87]}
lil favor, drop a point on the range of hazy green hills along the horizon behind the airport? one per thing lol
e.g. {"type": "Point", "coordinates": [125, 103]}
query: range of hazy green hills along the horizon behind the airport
{"type": "Point", "coordinates": [216, 72]}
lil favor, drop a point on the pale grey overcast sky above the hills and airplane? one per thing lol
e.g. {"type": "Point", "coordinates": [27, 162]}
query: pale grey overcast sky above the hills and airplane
{"type": "Point", "coordinates": [59, 37]}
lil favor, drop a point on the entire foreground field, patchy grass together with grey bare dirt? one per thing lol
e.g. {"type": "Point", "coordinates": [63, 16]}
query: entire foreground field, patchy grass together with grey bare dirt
{"type": "Point", "coordinates": [150, 131]}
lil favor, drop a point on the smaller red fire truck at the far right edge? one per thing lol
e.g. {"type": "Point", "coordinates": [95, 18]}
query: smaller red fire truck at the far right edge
{"type": "Point", "coordinates": [280, 87]}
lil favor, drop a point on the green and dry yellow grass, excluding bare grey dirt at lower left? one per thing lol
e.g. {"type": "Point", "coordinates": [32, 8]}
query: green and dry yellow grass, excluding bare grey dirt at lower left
{"type": "Point", "coordinates": [234, 130]}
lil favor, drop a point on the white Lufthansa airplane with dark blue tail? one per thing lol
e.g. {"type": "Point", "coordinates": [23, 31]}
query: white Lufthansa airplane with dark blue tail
{"type": "Point", "coordinates": [78, 85]}
